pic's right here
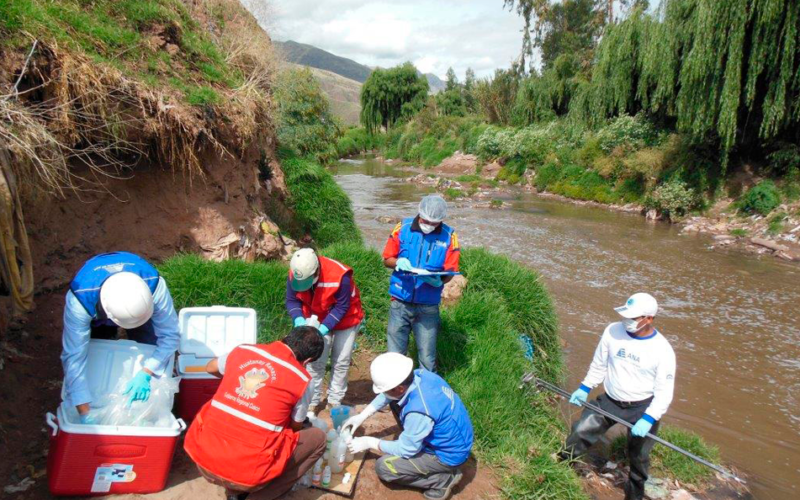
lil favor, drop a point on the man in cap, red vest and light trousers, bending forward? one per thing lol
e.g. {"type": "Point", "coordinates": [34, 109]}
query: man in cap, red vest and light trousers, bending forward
{"type": "Point", "coordinates": [322, 287]}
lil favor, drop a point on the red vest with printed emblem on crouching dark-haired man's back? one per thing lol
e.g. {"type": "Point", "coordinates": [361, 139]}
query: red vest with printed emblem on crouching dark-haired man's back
{"type": "Point", "coordinates": [243, 434]}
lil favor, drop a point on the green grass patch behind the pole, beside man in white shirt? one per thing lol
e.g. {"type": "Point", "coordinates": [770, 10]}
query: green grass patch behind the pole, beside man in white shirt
{"type": "Point", "coordinates": [667, 463]}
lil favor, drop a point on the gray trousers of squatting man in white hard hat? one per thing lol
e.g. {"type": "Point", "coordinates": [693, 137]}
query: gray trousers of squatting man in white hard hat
{"type": "Point", "coordinates": [423, 471]}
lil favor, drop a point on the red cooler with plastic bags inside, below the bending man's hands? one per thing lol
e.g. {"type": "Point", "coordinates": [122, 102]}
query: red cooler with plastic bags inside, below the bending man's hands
{"type": "Point", "coordinates": [108, 459]}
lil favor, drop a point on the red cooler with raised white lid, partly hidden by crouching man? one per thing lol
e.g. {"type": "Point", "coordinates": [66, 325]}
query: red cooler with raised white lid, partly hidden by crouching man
{"type": "Point", "coordinates": [207, 333]}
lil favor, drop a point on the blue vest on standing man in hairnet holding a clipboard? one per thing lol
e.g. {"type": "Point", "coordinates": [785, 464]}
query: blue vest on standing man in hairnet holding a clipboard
{"type": "Point", "coordinates": [425, 251]}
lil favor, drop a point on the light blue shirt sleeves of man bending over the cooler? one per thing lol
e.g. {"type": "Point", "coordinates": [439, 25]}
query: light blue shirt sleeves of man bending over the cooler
{"type": "Point", "coordinates": [78, 329]}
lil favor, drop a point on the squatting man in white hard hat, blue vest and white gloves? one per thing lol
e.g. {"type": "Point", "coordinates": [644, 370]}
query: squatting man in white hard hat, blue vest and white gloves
{"type": "Point", "coordinates": [437, 432]}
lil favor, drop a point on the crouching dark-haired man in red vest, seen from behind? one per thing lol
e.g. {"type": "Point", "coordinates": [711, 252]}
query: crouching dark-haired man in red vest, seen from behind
{"type": "Point", "coordinates": [250, 436]}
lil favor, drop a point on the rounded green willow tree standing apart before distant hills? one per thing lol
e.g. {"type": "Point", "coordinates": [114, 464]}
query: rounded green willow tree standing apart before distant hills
{"type": "Point", "coordinates": [391, 94]}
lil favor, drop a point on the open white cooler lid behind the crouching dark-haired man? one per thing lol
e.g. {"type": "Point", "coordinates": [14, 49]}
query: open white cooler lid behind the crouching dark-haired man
{"type": "Point", "coordinates": [210, 332]}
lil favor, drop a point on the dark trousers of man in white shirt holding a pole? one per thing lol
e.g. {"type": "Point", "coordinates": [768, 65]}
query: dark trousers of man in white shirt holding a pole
{"type": "Point", "coordinates": [591, 426]}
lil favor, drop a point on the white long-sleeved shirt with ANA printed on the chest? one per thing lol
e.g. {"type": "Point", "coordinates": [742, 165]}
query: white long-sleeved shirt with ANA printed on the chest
{"type": "Point", "coordinates": [634, 369]}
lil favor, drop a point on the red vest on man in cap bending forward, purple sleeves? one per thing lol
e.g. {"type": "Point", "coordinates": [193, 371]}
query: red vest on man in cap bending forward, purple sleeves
{"type": "Point", "coordinates": [323, 298]}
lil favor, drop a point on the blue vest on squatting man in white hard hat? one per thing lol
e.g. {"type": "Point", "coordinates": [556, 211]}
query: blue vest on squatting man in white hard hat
{"type": "Point", "coordinates": [451, 437]}
